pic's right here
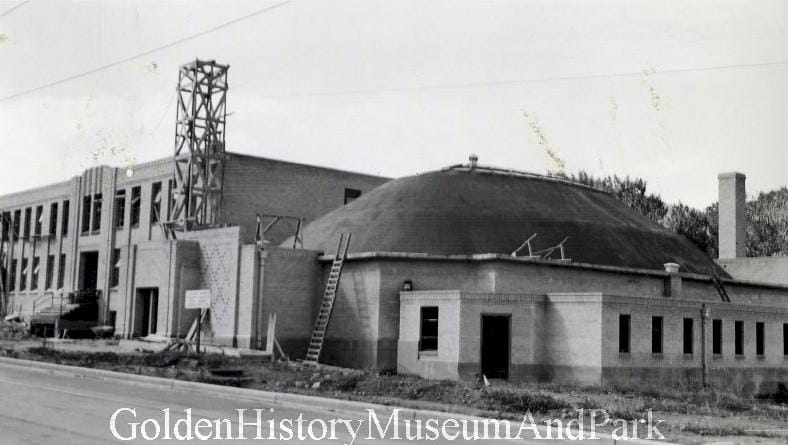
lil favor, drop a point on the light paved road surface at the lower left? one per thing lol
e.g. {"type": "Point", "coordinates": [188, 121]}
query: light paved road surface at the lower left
{"type": "Point", "coordinates": [40, 407]}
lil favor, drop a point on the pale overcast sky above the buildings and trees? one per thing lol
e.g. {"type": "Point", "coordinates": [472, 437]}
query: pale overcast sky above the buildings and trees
{"type": "Point", "coordinates": [674, 92]}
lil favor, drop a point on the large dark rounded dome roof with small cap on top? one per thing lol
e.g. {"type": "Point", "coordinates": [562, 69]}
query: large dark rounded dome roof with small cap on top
{"type": "Point", "coordinates": [465, 211]}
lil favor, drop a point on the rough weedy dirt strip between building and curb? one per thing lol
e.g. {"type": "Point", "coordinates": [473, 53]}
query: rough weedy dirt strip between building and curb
{"type": "Point", "coordinates": [690, 416]}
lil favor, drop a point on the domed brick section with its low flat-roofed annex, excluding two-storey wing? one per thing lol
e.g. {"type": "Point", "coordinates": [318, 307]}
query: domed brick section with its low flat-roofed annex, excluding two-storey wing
{"type": "Point", "coordinates": [472, 271]}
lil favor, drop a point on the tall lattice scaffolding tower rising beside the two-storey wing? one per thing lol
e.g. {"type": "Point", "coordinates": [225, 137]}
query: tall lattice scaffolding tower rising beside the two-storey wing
{"type": "Point", "coordinates": [199, 145]}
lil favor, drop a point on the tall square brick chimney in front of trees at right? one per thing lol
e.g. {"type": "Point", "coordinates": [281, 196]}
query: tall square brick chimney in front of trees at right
{"type": "Point", "coordinates": [732, 237]}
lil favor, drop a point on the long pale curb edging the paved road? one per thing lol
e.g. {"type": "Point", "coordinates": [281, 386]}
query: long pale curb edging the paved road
{"type": "Point", "coordinates": [346, 407]}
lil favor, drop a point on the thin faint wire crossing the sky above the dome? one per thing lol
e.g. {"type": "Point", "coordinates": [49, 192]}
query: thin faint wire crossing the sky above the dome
{"type": "Point", "coordinates": [521, 81]}
